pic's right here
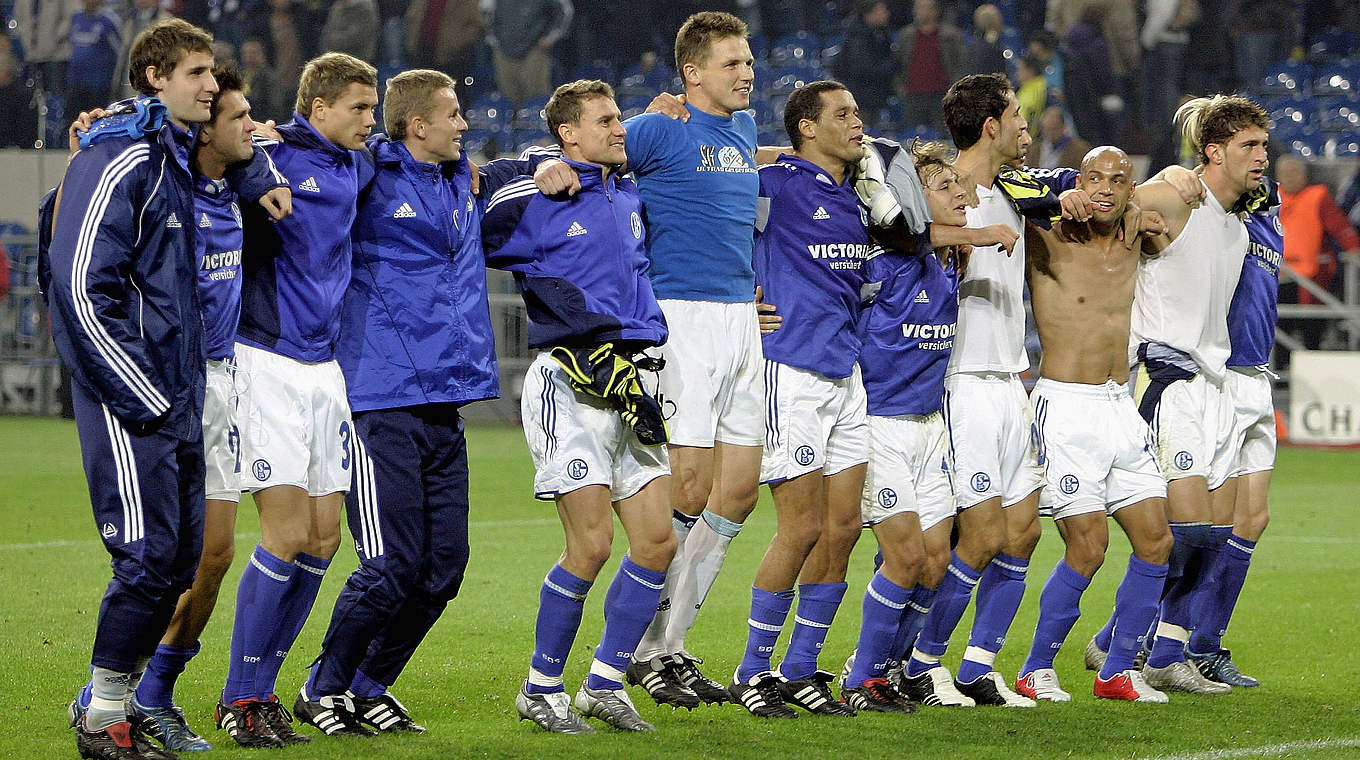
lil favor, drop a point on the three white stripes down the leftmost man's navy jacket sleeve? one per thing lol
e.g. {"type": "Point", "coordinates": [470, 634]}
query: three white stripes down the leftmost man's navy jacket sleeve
{"type": "Point", "coordinates": [114, 354]}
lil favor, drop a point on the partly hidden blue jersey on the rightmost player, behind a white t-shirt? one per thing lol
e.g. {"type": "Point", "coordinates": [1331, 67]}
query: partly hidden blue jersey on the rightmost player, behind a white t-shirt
{"type": "Point", "coordinates": [1252, 316]}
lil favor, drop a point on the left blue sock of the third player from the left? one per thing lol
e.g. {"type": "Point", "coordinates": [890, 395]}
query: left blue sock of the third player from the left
{"type": "Point", "coordinates": [262, 592]}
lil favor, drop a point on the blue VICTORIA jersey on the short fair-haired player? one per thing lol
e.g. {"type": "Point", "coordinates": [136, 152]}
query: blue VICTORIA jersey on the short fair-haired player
{"type": "Point", "coordinates": [908, 331]}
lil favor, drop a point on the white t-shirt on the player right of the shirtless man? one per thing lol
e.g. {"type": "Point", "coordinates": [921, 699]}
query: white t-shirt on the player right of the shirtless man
{"type": "Point", "coordinates": [1183, 296]}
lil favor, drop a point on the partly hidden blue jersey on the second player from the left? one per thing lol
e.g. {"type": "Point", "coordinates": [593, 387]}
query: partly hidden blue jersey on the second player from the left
{"type": "Point", "coordinates": [220, 266]}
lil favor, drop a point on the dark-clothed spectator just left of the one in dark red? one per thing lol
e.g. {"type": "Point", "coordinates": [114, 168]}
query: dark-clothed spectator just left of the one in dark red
{"type": "Point", "coordinates": [867, 65]}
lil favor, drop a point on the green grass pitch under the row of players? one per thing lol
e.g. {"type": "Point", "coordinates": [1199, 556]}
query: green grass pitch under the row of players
{"type": "Point", "coordinates": [1295, 629]}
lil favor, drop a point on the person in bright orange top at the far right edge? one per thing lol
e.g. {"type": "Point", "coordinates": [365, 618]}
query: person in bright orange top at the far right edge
{"type": "Point", "coordinates": [1313, 224]}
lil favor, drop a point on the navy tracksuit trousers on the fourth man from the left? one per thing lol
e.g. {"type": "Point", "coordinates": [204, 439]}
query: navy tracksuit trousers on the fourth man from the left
{"type": "Point", "coordinates": [409, 515]}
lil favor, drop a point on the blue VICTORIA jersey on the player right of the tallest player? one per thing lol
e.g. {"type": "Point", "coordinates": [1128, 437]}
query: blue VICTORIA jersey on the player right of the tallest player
{"type": "Point", "coordinates": [811, 245]}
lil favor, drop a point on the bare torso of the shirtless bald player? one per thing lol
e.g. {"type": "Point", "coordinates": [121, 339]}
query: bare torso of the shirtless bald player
{"type": "Point", "coordinates": [1083, 298]}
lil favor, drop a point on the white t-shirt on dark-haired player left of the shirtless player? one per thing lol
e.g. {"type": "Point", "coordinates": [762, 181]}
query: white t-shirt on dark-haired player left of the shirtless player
{"type": "Point", "coordinates": [991, 336]}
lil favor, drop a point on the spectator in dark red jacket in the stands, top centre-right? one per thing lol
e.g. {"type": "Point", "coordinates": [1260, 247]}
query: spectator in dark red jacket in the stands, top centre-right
{"type": "Point", "coordinates": [930, 59]}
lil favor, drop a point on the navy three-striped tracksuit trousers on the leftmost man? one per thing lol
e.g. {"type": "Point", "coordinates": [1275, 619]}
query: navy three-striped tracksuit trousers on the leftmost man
{"type": "Point", "coordinates": [148, 498]}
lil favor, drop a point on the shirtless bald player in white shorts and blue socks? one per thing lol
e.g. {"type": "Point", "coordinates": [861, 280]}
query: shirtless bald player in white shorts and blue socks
{"type": "Point", "coordinates": [1097, 448]}
